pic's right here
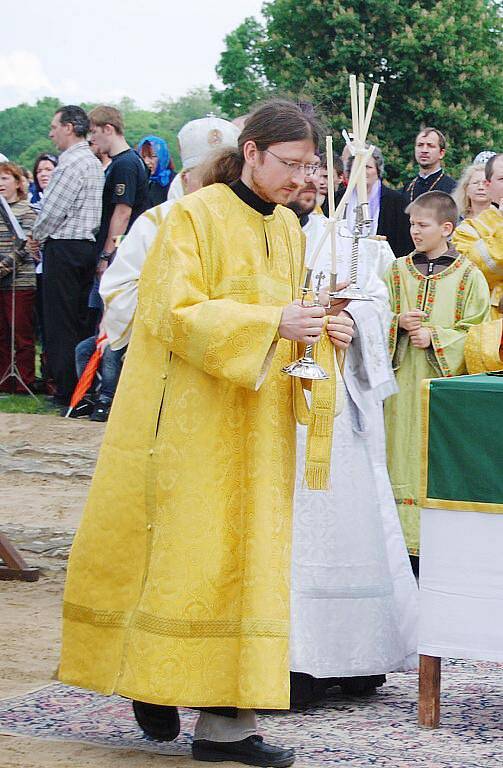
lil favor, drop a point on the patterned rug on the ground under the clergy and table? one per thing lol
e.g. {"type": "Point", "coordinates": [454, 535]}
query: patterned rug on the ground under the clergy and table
{"type": "Point", "coordinates": [379, 730]}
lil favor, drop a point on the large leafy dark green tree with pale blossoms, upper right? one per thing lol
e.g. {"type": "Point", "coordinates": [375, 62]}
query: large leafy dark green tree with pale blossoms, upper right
{"type": "Point", "coordinates": [437, 64]}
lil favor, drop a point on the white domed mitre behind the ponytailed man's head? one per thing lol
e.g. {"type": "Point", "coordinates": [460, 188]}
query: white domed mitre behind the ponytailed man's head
{"type": "Point", "coordinates": [200, 137]}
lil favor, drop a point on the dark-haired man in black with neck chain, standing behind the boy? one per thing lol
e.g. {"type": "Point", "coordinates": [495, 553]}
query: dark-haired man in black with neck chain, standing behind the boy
{"type": "Point", "coordinates": [429, 151]}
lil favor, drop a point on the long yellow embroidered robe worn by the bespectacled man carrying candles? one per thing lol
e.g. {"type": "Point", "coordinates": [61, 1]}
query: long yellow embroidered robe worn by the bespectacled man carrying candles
{"type": "Point", "coordinates": [178, 580]}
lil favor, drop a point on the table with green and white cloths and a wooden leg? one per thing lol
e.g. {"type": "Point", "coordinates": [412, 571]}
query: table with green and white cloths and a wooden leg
{"type": "Point", "coordinates": [461, 567]}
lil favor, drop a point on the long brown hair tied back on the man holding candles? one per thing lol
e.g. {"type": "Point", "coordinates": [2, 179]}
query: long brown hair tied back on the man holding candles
{"type": "Point", "coordinates": [274, 122]}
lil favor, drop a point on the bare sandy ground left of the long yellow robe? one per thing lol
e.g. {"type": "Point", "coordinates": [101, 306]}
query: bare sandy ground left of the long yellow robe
{"type": "Point", "coordinates": [46, 465]}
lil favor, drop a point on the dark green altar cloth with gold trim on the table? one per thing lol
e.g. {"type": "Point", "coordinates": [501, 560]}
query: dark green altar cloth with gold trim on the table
{"type": "Point", "coordinates": [462, 443]}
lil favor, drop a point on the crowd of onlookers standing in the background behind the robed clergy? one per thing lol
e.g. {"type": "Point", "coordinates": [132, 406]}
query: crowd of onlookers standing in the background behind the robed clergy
{"type": "Point", "coordinates": [75, 208]}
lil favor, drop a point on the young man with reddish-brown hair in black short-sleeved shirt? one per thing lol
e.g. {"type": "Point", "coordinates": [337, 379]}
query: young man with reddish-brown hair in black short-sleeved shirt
{"type": "Point", "coordinates": [125, 195]}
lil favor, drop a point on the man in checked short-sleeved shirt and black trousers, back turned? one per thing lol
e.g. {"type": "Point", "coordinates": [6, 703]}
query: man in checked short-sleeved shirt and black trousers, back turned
{"type": "Point", "coordinates": [69, 218]}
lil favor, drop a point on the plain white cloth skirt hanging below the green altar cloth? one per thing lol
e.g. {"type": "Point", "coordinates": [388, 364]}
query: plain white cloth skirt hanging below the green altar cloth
{"type": "Point", "coordinates": [461, 585]}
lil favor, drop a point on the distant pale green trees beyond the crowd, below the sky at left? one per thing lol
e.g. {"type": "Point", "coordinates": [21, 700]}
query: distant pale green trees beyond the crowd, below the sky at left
{"type": "Point", "coordinates": [24, 129]}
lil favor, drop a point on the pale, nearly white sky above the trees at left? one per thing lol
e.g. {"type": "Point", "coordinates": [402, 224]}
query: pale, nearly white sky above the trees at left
{"type": "Point", "coordinates": [102, 50]}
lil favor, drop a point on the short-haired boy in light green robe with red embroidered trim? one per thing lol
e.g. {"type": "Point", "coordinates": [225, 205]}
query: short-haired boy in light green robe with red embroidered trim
{"type": "Point", "coordinates": [436, 295]}
